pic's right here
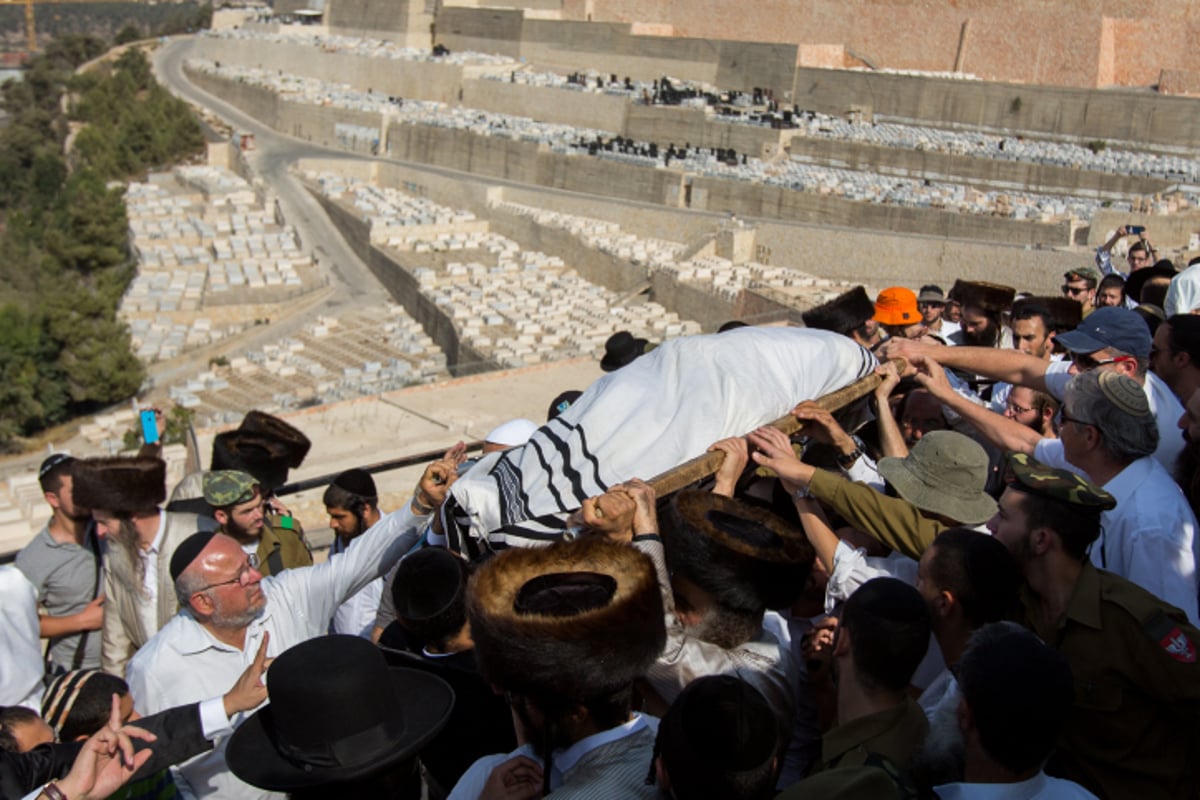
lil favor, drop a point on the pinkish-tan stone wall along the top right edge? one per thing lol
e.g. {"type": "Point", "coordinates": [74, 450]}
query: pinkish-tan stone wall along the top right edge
{"type": "Point", "coordinates": [1078, 44]}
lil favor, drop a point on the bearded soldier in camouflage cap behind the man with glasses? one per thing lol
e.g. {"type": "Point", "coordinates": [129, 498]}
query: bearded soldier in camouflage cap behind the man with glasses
{"type": "Point", "coordinates": [239, 508]}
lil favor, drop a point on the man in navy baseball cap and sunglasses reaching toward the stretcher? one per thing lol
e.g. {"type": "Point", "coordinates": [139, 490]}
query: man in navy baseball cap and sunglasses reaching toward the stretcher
{"type": "Point", "coordinates": [1111, 340]}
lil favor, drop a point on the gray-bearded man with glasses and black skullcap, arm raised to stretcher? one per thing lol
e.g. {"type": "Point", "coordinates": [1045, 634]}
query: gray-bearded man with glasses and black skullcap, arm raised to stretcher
{"type": "Point", "coordinates": [230, 611]}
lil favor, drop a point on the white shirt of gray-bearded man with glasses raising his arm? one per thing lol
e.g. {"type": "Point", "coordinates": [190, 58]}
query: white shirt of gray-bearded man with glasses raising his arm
{"type": "Point", "coordinates": [184, 664]}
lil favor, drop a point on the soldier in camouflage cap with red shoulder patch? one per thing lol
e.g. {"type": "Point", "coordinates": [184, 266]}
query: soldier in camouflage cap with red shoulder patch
{"type": "Point", "coordinates": [1132, 732]}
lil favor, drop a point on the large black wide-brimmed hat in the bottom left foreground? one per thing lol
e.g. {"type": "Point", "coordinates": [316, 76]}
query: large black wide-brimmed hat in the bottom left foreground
{"type": "Point", "coordinates": [338, 713]}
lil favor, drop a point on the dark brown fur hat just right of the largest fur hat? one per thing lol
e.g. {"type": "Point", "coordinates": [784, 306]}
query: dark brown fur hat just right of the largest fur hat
{"type": "Point", "coordinates": [747, 558]}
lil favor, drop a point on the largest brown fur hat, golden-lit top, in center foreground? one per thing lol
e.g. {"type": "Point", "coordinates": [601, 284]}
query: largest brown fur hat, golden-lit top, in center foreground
{"type": "Point", "coordinates": [572, 622]}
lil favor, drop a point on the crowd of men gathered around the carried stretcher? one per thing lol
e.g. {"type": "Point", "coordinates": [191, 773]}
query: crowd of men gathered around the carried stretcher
{"type": "Point", "coordinates": [981, 585]}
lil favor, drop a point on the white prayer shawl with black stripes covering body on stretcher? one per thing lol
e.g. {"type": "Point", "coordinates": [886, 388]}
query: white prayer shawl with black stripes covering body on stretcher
{"type": "Point", "coordinates": [645, 419]}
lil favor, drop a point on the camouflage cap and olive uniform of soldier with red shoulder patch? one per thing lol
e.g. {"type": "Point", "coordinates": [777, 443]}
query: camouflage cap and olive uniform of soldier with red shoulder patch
{"type": "Point", "coordinates": [1133, 731]}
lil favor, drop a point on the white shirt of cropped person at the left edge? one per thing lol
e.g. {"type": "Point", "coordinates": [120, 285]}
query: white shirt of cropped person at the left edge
{"type": "Point", "coordinates": [21, 669]}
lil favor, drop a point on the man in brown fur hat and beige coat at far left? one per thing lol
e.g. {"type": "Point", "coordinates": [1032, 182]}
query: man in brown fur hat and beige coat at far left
{"type": "Point", "coordinates": [124, 496]}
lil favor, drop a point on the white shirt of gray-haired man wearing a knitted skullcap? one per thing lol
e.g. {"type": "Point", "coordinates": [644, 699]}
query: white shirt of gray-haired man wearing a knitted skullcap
{"type": "Point", "coordinates": [1150, 537]}
